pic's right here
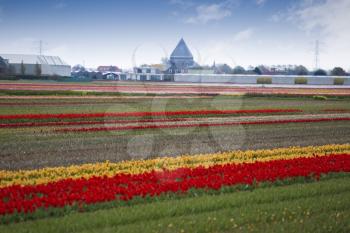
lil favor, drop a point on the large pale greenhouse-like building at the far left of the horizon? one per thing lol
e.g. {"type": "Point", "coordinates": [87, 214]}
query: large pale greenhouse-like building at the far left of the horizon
{"type": "Point", "coordinates": [49, 65]}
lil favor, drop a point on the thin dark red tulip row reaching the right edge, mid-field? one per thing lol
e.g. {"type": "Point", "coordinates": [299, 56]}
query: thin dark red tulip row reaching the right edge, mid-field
{"type": "Point", "coordinates": [137, 127]}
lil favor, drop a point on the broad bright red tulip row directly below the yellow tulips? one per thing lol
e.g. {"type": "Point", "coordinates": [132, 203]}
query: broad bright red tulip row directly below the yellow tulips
{"type": "Point", "coordinates": [125, 187]}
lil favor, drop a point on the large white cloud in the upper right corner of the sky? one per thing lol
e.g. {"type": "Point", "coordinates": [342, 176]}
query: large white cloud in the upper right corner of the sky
{"type": "Point", "coordinates": [327, 21]}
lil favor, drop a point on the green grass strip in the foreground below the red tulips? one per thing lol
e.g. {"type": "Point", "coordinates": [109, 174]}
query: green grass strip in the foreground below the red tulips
{"type": "Point", "coordinates": [310, 207]}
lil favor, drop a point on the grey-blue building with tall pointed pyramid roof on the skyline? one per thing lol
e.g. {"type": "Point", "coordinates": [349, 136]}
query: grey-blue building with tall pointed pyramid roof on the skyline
{"type": "Point", "coordinates": [181, 59]}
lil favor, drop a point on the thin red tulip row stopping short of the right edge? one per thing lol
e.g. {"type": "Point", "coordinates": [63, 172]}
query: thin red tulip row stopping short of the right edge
{"type": "Point", "coordinates": [143, 114]}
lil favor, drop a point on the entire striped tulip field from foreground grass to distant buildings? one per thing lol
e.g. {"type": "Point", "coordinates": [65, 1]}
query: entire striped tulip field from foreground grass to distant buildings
{"type": "Point", "coordinates": [184, 162]}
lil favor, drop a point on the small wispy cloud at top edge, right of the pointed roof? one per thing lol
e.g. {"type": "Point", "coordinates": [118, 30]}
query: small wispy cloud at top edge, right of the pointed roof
{"type": "Point", "coordinates": [211, 12]}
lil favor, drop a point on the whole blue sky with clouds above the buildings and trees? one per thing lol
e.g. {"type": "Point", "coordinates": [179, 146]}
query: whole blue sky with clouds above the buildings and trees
{"type": "Point", "coordinates": [128, 33]}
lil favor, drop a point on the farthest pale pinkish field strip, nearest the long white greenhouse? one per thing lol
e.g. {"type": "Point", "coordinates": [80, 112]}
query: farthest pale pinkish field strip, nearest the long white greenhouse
{"type": "Point", "coordinates": [174, 89]}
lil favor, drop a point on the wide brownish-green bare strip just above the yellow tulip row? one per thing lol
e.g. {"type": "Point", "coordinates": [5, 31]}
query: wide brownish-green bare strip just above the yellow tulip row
{"type": "Point", "coordinates": [23, 150]}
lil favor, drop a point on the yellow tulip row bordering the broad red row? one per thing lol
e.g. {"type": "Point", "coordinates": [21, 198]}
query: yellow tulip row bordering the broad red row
{"type": "Point", "coordinates": [45, 175]}
